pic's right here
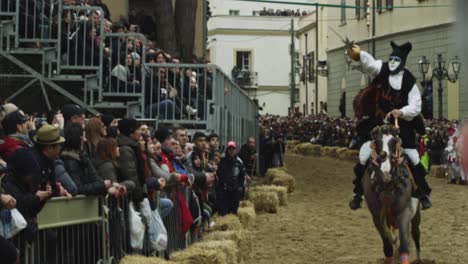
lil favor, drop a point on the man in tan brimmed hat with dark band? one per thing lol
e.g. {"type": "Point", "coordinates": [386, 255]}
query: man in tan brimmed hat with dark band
{"type": "Point", "coordinates": [47, 148]}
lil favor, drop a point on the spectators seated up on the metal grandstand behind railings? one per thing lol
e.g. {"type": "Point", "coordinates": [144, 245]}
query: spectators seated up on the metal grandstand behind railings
{"type": "Point", "coordinates": [86, 44]}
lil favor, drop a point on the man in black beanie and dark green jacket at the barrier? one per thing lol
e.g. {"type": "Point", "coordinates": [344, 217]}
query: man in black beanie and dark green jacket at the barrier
{"type": "Point", "coordinates": [130, 160]}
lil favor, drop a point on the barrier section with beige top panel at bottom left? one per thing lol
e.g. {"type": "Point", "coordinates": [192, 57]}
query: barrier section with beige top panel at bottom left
{"type": "Point", "coordinates": [72, 231]}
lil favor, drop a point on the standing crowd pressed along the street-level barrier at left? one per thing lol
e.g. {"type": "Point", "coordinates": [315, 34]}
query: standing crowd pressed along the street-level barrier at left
{"type": "Point", "coordinates": [68, 154]}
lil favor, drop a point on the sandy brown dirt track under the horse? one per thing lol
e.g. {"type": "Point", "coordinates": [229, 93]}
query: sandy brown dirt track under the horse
{"type": "Point", "coordinates": [318, 227]}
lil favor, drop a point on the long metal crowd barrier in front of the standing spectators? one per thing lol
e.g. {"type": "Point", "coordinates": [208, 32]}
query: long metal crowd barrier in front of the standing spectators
{"type": "Point", "coordinates": [91, 229]}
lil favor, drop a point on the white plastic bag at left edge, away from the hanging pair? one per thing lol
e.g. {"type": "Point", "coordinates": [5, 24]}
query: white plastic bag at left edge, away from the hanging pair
{"type": "Point", "coordinates": [11, 223]}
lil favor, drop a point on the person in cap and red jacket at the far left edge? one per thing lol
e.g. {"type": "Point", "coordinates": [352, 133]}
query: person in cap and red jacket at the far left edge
{"type": "Point", "coordinates": [15, 127]}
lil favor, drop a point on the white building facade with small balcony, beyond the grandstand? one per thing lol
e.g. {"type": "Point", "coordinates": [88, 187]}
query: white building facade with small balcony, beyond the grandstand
{"type": "Point", "coordinates": [255, 50]}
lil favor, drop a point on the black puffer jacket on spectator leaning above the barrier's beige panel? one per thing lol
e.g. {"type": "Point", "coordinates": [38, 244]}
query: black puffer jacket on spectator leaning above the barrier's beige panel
{"type": "Point", "coordinates": [83, 173]}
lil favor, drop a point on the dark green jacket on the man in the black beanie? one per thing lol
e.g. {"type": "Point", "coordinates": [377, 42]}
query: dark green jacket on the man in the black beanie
{"type": "Point", "coordinates": [131, 165]}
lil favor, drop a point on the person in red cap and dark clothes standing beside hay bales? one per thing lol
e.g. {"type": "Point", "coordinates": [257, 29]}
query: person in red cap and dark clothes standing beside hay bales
{"type": "Point", "coordinates": [231, 176]}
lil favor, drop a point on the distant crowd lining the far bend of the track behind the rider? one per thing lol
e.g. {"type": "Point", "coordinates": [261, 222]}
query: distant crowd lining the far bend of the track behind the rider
{"type": "Point", "coordinates": [441, 144]}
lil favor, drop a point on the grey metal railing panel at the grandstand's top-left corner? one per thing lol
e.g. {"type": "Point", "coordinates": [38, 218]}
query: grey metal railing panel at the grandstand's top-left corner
{"type": "Point", "coordinates": [35, 20]}
